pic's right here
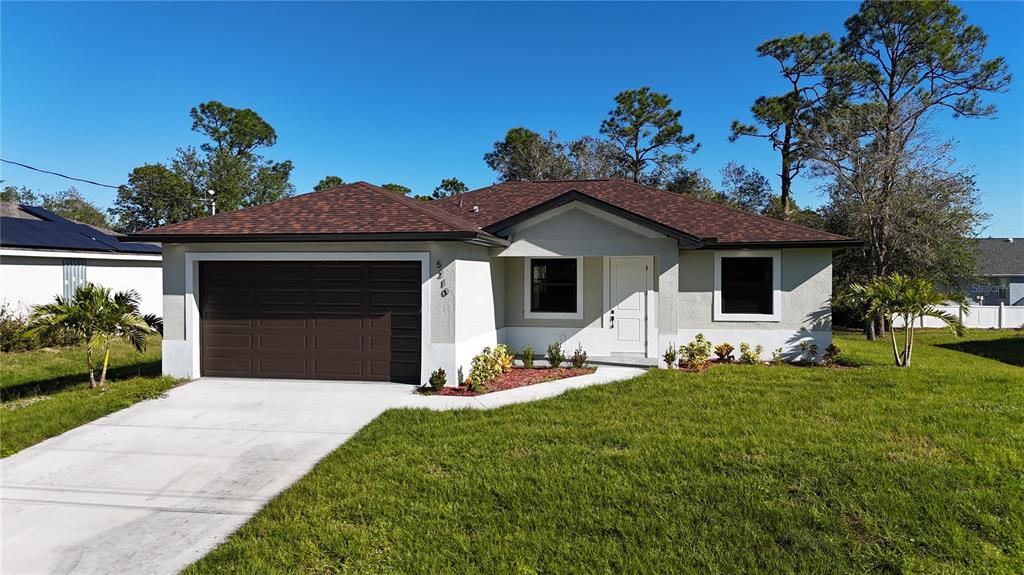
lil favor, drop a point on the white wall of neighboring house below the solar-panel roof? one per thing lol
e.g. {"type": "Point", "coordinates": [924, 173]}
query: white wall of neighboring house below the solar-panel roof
{"type": "Point", "coordinates": [29, 279]}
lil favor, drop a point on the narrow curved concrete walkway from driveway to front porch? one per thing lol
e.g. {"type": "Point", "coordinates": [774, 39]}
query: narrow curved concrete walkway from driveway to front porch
{"type": "Point", "coordinates": [604, 375]}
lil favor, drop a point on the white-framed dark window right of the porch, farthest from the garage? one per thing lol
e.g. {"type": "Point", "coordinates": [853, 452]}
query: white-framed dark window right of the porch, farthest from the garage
{"type": "Point", "coordinates": [747, 287]}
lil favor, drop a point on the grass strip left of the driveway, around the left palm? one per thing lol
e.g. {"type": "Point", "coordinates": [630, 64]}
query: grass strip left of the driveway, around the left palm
{"type": "Point", "coordinates": [45, 393]}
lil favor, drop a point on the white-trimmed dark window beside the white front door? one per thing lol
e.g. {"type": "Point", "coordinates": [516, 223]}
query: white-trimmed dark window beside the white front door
{"type": "Point", "coordinates": [553, 288]}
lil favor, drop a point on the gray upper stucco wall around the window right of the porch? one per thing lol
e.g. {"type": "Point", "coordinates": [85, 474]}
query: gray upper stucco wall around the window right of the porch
{"type": "Point", "coordinates": [806, 286]}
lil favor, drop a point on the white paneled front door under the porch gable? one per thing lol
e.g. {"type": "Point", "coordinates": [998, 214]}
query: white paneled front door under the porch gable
{"type": "Point", "coordinates": [628, 304]}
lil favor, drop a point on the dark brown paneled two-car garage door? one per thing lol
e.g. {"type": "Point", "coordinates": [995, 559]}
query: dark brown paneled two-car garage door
{"type": "Point", "coordinates": [321, 321]}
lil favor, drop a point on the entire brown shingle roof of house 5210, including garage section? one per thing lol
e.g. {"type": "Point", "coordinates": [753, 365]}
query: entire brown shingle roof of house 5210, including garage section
{"type": "Point", "coordinates": [363, 211]}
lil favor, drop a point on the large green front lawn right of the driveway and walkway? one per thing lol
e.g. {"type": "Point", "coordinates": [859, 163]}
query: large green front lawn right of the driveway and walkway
{"type": "Point", "coordinates": [741, 470]}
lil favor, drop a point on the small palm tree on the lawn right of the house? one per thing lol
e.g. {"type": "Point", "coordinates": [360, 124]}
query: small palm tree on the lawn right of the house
{"type": "Point", "coordinates": [910, 299]}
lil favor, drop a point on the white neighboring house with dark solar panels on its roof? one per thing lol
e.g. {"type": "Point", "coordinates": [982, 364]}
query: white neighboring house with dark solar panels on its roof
{"type": "Point", "coordinates": [44, 255]}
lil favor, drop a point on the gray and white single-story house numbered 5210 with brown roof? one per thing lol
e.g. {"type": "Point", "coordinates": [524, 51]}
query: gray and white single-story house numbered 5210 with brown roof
{"type": "Point", "coordinates": [359, 283]}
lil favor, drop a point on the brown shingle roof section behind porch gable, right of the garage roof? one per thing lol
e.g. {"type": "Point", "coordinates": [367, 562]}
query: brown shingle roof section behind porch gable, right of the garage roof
{"type": "Point", "coordinates": [706, 220]}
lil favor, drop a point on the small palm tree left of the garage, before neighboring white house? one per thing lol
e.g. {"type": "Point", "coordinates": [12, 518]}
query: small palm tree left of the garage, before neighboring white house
{"type": "Point", "coordinates": [99, 319]}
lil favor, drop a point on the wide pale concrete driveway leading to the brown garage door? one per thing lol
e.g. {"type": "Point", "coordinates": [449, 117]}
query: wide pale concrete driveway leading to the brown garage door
{"type": "Point", "coordinates": [152, 489]}
